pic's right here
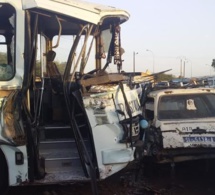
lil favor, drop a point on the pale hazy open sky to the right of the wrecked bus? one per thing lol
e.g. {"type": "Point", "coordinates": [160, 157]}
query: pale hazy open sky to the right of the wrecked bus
{"type": "Point", "coordinates": [176, 33]}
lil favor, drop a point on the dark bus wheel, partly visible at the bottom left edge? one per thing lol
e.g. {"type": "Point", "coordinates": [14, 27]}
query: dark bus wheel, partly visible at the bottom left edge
{"type": "Point", "coordinates": [3, 174]}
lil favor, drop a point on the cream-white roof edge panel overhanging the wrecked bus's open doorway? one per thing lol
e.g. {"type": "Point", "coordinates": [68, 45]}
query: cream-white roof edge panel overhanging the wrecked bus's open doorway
{"type": "Point", "coordinates": [91, 12]}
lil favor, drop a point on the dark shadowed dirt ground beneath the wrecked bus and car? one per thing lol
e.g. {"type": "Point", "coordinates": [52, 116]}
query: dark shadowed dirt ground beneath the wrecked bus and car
{"type": "Point", "coordinates": [188, 178]}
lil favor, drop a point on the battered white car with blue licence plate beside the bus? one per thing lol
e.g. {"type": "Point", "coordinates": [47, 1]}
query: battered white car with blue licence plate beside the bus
{"type": "Point", "coordinates": [181, 124]}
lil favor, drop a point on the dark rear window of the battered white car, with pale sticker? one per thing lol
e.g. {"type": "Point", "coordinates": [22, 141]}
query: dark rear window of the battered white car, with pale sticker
{"type": "Point", "coordinates": [187, 106]}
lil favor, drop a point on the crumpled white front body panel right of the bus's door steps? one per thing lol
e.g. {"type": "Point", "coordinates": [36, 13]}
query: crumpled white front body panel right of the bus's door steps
{"type": "Point", "coordinates": [112, 155]}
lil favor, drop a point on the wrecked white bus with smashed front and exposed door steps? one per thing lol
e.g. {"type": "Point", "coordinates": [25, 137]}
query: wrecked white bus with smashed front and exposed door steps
{"type": "Point", "coordinates": [67, 119]}
